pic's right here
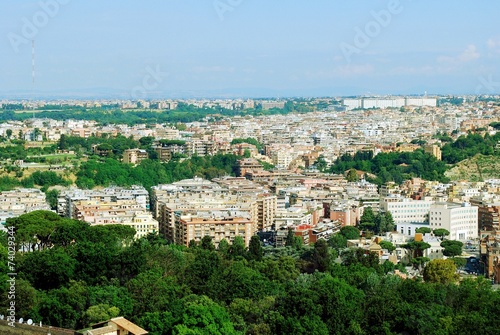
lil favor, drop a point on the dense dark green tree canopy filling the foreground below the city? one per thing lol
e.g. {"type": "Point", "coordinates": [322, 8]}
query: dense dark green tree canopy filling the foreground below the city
{"type": "Point", "coordinates": [77, 275]}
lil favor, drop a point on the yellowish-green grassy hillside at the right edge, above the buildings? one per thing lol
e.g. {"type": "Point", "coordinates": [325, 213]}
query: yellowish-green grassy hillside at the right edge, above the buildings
{"type": "Point", "coordinates": [477, 168]}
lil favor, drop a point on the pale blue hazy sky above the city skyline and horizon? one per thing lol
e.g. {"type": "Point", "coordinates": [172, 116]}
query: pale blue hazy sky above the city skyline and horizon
{"type": "Point", "coordinates": [248, 48]}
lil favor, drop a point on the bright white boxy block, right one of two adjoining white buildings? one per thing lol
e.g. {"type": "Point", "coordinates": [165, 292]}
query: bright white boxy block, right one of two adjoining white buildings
{"type": "Point", "coordinates": [461, 220]}
